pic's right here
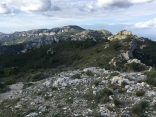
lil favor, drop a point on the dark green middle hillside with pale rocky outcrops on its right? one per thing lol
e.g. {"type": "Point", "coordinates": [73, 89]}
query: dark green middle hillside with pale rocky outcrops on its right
{"type": "Point", "coordinates": [112, 54]}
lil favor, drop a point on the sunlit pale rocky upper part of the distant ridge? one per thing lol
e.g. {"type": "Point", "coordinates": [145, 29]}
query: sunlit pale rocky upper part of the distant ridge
{"type": "Point", "coordinates": [46, 36]}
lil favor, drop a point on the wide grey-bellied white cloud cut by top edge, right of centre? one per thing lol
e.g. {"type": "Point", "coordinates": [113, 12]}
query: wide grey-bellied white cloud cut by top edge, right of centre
{"type": "Point", "coordinates": [120, 3]}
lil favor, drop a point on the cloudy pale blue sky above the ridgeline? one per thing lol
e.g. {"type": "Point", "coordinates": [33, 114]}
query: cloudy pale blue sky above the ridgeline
{"type": "Point", "coordinates": [138, 16]}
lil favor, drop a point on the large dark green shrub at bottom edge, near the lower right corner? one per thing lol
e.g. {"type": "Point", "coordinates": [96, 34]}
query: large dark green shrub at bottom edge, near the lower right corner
{"type": "Point", "coordinates": [140, 108]}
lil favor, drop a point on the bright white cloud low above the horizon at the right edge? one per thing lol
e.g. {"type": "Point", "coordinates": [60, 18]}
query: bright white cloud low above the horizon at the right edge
{"type": "Point", "coordinates": [148, 24]}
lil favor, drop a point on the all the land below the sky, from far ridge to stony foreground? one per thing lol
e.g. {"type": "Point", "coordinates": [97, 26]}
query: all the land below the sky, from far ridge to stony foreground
{"type": "Point", "coordinates": [77, 73]}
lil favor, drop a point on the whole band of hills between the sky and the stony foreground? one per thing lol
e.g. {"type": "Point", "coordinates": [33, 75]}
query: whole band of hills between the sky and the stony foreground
{"type": "Point", "coordinates": [75, 46]}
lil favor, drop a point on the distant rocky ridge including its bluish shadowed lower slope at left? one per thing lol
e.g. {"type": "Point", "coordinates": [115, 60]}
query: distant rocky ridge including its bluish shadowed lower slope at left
{"type": "Point", "coordinates": [39, 37]}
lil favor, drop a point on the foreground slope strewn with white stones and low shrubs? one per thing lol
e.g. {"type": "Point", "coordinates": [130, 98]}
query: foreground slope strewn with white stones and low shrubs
{"type": "Point", "coordinates": [79, 93]}
